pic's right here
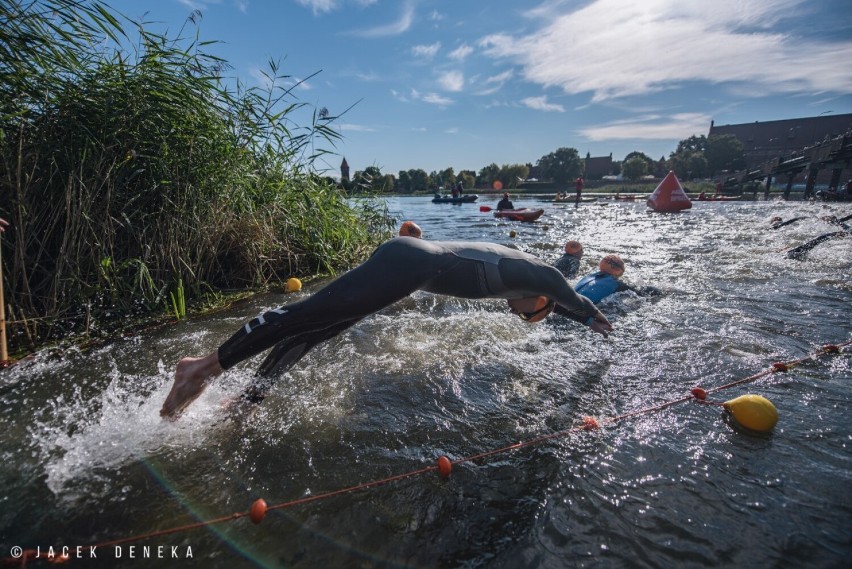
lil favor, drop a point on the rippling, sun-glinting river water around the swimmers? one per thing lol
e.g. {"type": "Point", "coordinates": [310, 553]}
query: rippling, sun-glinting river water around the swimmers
{"type": "Point", "coordinates": [86, 458]}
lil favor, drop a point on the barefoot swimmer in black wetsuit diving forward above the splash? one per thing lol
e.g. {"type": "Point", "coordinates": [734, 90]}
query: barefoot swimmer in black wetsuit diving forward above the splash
{"type": "Point", "coordinates": [396, 269]}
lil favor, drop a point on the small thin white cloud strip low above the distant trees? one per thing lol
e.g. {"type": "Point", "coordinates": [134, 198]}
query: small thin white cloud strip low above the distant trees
{"type": "Point", "coordinates": [650, 127]}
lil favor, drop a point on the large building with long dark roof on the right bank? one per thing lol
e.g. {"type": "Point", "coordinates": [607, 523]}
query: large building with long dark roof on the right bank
{"type": "Point", "coordinates": [764, 141]}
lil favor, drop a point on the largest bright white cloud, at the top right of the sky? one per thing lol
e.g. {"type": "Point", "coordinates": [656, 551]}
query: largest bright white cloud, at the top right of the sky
{"type": "Point", "coordinates": [618, 48]}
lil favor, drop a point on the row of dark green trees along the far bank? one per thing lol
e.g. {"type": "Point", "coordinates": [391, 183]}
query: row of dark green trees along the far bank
{"type": "Point", "coordinates": [695, 157]}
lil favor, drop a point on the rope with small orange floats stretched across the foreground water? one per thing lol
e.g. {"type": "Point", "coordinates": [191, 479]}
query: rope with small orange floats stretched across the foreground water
{"type": "Point", "coordinates": [443, 466]}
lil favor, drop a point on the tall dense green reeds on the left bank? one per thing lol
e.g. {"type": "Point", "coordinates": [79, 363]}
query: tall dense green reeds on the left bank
{"type": "Point", "coordinates": [141, 184]}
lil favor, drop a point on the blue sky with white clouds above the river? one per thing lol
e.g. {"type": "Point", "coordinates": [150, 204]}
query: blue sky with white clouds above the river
{"type": "Point", "coordinates": [432, 84]}
